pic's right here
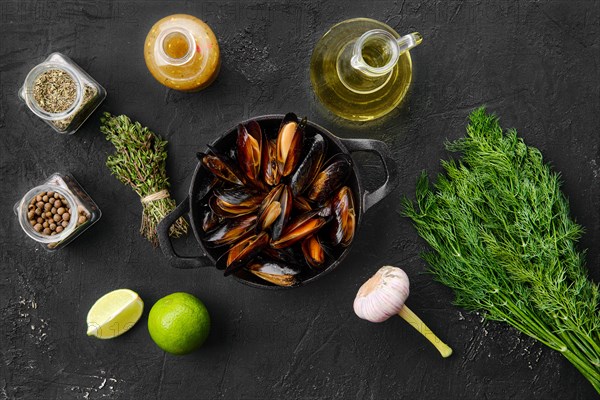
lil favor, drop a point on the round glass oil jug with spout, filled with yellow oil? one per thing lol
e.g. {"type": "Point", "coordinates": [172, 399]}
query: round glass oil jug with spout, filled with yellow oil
{"type": "Point", "coordinates": [361, 68]}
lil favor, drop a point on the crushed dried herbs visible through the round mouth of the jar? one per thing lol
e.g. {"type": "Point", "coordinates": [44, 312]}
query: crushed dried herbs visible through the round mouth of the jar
{"type": "Point", "coordinates": [55, 91]}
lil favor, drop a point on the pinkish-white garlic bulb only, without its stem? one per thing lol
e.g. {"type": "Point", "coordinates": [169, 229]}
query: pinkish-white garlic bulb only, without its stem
{"type": "Point", "coordinates": [383, 295]}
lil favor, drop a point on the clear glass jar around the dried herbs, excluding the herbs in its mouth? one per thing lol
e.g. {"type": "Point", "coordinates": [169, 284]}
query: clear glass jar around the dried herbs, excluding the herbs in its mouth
{"type": "Point", "coordinates": [89, 94]}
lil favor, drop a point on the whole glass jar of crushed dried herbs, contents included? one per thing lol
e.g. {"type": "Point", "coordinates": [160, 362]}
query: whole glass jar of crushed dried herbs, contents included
{"type": "Point", "coordinates": [61, 93]}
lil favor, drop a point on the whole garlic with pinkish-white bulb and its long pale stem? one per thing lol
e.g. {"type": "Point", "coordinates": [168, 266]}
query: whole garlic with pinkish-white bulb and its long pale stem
{"type": "Point", "coordinates": [384, 295]}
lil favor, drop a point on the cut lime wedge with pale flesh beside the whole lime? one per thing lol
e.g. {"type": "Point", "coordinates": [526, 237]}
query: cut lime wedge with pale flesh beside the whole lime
{"type": "Point", "coordinates": [114, 314]}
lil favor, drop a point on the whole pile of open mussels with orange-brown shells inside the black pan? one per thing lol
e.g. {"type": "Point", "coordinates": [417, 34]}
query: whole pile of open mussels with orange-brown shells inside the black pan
{"type": "Point", "coordinates": [276, 206]}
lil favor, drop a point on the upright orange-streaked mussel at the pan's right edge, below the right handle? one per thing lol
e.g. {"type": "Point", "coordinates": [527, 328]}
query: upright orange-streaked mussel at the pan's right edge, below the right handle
{"type": "Point", "coordinates": [344, 220]}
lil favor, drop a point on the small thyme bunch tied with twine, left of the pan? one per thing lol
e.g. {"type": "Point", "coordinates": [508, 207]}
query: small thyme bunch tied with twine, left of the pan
{"type": "Point", "coordinates": [139, 161]}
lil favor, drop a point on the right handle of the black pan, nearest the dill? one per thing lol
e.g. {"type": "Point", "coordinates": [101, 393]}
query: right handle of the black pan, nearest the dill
{"type": "Point", "coordinates": [389, 165]}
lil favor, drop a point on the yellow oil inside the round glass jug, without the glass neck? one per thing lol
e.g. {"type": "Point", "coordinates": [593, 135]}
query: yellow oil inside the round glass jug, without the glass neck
{"type": "Point", "coordinates": [338, 98]}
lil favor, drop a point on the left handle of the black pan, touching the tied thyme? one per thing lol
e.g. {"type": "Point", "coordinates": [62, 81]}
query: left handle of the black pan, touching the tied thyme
{"type": "Point", "coordinates": [166, 246]}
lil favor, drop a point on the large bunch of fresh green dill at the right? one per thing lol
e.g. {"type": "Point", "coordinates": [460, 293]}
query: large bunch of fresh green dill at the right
{"type": "Point", "coordinates": [503, 240]}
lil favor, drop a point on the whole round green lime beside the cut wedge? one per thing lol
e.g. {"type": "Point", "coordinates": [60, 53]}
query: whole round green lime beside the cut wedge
{"type": "Point", "coordinates": [179, 323]}
